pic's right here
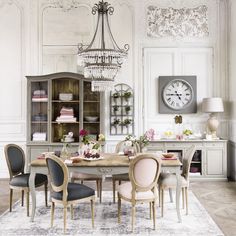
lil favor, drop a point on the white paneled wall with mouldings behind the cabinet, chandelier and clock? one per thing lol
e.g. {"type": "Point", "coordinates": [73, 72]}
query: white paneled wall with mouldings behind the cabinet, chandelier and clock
{"type": "Point", "coordinates": [41, 37]}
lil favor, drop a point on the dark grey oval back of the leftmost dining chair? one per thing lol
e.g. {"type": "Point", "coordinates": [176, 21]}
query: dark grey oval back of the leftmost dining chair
{"type": "Point", "coordinates": [15, 158]}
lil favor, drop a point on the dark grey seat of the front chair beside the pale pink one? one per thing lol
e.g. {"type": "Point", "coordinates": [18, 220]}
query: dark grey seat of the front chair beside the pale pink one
{"type": "Point", "coordinates": [75, 192]}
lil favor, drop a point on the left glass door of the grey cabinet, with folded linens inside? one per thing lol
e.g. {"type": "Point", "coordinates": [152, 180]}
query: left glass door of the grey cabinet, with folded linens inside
{"type": "Point", "coordinates": [39, 111]}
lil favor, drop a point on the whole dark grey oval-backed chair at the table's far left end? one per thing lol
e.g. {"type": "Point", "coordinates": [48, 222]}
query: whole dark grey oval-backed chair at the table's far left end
{"type": "Point", "coordinates": [19, 180]}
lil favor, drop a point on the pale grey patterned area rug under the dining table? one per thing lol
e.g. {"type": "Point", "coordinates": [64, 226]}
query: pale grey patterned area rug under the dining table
{"type": "Point", "coordinates": [198, 222]}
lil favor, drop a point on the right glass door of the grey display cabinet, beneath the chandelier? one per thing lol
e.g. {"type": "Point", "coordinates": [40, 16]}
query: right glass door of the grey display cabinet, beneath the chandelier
{"type": "Point", "coordinates": [91, 111]}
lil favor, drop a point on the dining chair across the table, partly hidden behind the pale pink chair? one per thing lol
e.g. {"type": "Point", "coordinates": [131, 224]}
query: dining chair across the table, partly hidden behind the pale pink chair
{"type": "Point", "coordinates": [121, 177]}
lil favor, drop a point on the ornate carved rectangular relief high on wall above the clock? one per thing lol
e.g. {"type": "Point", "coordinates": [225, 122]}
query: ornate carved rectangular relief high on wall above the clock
{"type": "Point", "coordinates": [183, 22]}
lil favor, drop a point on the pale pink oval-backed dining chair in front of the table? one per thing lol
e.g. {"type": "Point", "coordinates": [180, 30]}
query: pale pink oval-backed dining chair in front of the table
{"type": "Point", "coordinates": [144, 172]}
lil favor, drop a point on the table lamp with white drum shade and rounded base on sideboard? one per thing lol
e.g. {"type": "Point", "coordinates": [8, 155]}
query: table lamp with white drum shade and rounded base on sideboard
{"type": "Point", "coordinates": [213, 106]}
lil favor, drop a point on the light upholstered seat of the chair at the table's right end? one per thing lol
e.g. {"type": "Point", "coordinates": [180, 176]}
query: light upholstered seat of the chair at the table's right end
{"type": "Point", "coordinates": [169, 180]}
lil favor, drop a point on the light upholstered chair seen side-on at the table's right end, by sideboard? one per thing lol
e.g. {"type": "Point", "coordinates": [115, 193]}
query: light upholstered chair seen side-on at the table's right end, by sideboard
{"type": "Point", "coordinates": [168, 181]}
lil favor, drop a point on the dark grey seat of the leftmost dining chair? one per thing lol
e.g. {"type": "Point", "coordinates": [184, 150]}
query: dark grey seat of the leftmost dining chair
{"type": "Point", "coordinates": [22, 180]}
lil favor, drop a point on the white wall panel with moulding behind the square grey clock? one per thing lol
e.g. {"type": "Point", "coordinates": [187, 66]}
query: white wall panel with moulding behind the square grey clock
{"type": "Point", "coordinates": [175, 61]}
